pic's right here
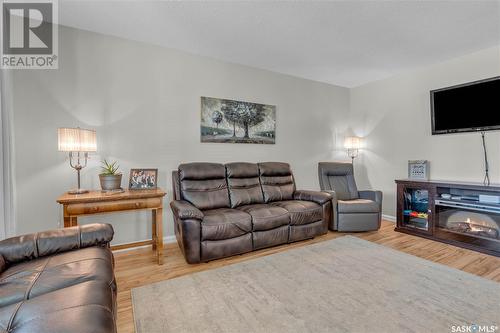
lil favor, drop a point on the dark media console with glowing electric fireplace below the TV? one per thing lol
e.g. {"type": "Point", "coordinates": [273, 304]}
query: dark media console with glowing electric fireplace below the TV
{"type": "Point", "coordinates": [461, 214]}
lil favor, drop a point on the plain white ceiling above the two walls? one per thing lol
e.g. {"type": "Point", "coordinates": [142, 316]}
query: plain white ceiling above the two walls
{"type": "Point", "coordinates": [347, 43]}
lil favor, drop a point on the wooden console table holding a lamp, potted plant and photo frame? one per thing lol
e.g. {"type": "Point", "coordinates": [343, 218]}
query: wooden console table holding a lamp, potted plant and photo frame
{"type": "Point", "coordinates": [97, 202]}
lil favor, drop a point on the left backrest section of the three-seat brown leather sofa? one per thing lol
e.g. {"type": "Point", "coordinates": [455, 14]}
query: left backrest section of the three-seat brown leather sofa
{"type": "Point", "coordinates": [204, 185]}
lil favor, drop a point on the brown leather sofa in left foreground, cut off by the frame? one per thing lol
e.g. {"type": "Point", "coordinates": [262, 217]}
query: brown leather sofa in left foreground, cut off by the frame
{"type": "Point", "coordinates": [58, 281]}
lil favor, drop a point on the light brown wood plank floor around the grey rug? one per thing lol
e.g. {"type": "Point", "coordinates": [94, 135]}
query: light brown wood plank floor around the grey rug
{"type": "Point", "coordinates": [138, 267]}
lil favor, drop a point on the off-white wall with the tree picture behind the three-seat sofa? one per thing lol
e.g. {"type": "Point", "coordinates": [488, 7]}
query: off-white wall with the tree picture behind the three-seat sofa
{"type": "Point", "coordinates": [144, 102]}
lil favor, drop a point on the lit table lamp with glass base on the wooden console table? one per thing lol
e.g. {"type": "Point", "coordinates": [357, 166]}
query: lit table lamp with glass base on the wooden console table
{"type": "Point", "coordinates": [78, 142]}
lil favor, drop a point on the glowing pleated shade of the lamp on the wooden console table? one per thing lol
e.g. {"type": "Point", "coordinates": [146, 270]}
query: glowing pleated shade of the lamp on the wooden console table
{"type": "Point", "coordinates": [76, 139]}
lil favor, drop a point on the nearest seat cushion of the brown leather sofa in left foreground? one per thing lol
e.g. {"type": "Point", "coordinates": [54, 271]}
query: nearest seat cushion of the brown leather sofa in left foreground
{"type": "Point", "coordinates": [84, 307]}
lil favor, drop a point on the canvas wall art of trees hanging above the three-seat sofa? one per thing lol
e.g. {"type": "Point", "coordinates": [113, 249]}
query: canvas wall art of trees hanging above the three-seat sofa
{"type": "Point", "coordinates": [228, 121]}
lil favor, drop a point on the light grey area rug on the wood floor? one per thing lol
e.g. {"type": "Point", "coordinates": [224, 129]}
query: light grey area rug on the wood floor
{"type": "Point", "coordinates": [342, 285]}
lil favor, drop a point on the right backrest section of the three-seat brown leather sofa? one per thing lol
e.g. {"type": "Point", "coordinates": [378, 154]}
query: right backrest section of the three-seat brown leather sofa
{"type": "Point", "coordinates": [277, 182]}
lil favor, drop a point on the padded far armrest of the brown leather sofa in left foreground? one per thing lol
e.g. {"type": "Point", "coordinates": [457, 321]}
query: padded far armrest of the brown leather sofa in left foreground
{"type": "Point", "coordinates": [32, 246]}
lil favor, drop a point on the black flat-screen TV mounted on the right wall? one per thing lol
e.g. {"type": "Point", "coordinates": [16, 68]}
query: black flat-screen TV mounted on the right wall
{"type": "Point", "coordinates": [469, 107]}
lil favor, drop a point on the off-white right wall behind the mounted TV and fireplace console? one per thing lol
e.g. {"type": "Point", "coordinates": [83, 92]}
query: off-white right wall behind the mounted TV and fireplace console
{"type": "Point", "coordinates": [394, 116]}
